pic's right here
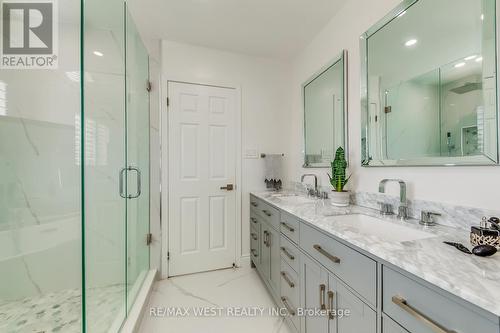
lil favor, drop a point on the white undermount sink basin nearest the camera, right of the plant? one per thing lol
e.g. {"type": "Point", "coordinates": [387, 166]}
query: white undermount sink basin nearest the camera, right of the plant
{"type": "Point", "coordinates": [384, 230]}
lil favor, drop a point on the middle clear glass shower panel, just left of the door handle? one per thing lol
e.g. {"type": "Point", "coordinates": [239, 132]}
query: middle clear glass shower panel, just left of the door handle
{"type": "Point", "coordinates": [104, 151]}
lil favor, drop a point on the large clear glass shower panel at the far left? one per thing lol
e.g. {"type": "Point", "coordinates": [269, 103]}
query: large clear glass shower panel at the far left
{"type": "Point", "coordinates": [40, 185]}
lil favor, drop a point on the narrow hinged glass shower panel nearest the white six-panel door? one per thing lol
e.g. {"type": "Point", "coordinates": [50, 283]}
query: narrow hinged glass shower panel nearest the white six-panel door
{"type": "Point", "coordinates": [137, 150]}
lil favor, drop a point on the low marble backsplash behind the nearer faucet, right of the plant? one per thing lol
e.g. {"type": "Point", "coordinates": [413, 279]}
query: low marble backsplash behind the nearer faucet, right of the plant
{"type": "Point", "coordinates": [451, 215]}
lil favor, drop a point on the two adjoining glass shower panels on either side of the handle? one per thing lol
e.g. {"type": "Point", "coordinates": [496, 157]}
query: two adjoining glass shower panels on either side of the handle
{"type": "Point", "coordinates": [117, 164]}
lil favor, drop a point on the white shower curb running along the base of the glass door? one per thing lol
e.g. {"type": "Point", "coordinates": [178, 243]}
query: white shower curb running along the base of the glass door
{"type": "Point", "coordinates": [134, 318]}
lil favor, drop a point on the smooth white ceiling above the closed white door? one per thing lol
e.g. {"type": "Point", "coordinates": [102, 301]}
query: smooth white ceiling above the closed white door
{"type": "Point", "coordinates": [268, 28]}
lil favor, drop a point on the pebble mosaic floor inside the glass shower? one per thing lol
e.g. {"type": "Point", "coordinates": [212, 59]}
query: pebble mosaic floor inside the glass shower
{"type": "Point", "coordinates": [61, 311]}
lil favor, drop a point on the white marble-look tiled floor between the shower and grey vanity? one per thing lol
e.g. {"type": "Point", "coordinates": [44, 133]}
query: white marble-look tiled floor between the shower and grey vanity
{"type": "Point", "coordinates": [240, 287]}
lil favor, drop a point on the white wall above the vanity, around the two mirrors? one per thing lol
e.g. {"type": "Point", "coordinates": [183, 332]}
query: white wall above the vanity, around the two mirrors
{"type": "Point", "coordinates": [471, 186]}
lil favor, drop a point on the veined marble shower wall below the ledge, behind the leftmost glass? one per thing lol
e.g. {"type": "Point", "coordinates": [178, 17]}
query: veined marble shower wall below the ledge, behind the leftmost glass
{"type": "Point", "coordinates": [39, 208]}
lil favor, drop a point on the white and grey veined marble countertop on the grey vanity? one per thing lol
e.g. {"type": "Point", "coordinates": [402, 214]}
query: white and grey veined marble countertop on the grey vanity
{"type": "Point", "coordinates": [474, 279]}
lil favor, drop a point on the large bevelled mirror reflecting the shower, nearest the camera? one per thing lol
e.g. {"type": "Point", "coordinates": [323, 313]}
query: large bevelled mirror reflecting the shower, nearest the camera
{"type": "Point", "coordinates": [429, 85]}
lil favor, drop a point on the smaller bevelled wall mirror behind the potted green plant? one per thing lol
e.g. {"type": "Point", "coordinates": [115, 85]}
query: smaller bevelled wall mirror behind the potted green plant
{"type": "Point", "coordinates": [325, 113]}
